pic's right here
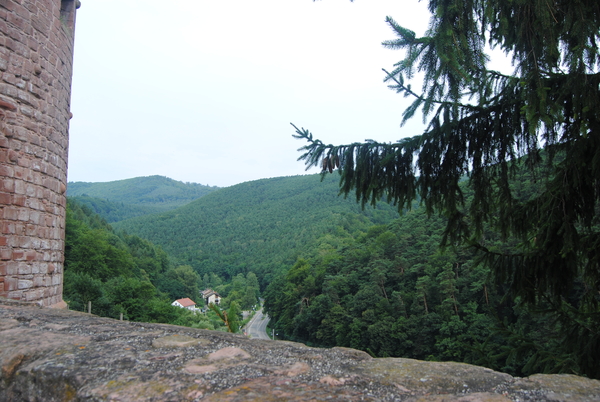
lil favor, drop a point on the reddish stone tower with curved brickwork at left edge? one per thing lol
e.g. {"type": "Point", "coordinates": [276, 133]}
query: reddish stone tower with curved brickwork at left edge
{"type": "Point", "coordinates": [36, 61]}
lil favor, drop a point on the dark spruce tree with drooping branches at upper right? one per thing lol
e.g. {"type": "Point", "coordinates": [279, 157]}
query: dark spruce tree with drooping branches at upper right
{"type": "Point", "coordinates": [485, 127]}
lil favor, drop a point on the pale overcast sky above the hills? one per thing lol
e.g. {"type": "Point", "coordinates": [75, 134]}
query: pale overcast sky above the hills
{"type": "Point", "coordinates": [204, 91]}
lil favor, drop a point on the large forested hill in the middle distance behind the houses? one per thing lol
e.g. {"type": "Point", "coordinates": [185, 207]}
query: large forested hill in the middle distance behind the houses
{"type": "Point", "coordinates": [260, 226]}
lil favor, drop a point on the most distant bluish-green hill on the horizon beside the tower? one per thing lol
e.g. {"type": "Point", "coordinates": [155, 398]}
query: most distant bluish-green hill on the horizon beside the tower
{"type": "Point", "coordinates": [123, 199]}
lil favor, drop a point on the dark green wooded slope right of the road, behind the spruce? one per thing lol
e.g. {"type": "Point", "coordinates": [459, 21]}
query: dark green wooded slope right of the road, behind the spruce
{"type": "Point", "coordinates": [393, 292]}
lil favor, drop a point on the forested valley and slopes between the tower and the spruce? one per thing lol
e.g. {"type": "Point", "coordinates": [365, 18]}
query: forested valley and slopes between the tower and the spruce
{"type": "Point", "coordinates": [331, 274]}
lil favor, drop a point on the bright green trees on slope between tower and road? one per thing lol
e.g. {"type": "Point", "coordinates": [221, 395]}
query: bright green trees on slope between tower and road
{"type": "Point", "coordinates": [126, 275]}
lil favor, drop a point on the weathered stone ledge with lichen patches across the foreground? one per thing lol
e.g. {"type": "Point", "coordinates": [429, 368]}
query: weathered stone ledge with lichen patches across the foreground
{"type": "Point", "coordinates": [59, 355]}
